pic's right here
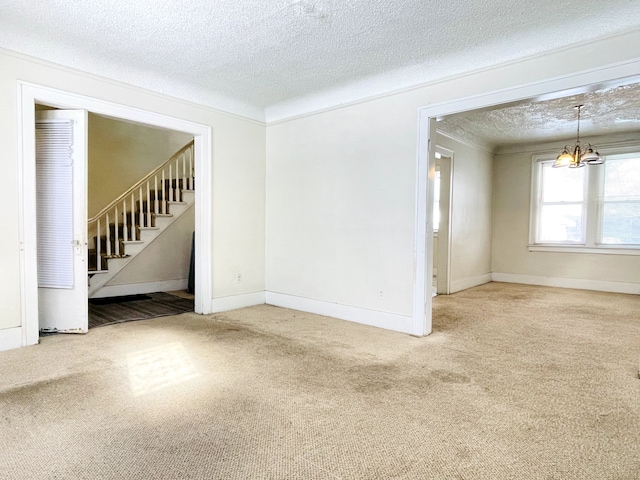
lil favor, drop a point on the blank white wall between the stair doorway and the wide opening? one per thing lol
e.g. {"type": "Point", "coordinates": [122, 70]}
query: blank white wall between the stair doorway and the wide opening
{"type": "Point", "coordinates": [340, 193]}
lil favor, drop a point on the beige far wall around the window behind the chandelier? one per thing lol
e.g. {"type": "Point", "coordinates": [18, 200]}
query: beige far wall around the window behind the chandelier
{"type": "Point", "coordinates": [512, 260]}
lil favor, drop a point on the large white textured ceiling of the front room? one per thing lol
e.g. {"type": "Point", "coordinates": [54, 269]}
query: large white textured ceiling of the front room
{"type": "Point", "coordinates": [247, 55]}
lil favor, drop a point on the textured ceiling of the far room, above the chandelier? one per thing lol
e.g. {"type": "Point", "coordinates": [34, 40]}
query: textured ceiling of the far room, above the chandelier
{"type": "Point", "coordinates": [606, 111]}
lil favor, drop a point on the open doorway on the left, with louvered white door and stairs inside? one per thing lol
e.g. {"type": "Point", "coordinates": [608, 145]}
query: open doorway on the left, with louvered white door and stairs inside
{"type": "Point", "coordinates": [107, 156]}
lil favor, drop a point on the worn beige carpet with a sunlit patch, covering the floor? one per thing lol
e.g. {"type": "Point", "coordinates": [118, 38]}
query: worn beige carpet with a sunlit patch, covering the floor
{"type": "Point", "coordinates": [517, 382]}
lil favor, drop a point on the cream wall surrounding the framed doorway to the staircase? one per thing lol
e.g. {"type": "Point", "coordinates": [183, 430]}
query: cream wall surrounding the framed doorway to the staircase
{"type": "Point", "coordinates": [238, 178]}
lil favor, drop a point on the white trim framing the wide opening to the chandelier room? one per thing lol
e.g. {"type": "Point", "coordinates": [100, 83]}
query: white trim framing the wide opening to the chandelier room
{"type": "Point", "coordinates": [558, 87]}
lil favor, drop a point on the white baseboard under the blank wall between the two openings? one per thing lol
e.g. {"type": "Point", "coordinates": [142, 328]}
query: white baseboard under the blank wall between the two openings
{"type": "Point", "coordinates": [374, 318]}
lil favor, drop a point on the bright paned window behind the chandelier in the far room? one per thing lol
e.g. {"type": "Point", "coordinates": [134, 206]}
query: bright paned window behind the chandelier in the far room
{"type": "Point", "coordinates": [596, 207]}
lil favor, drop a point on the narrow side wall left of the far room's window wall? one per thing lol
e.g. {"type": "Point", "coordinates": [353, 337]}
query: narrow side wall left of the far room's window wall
{"type": "Point", "coordinates": [471, 214]}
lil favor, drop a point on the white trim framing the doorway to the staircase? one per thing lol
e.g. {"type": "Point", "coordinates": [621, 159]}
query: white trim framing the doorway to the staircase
{"type": "Point", "coordinates": [28, 95]}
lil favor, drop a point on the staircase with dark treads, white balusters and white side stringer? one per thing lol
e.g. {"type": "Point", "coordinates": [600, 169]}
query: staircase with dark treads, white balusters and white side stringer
{"type": "Point", "coordinates": [121, 230]}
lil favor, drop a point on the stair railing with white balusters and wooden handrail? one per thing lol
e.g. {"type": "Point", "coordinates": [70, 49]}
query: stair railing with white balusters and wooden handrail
{"type": "Point", "coordinates": [119, 221]}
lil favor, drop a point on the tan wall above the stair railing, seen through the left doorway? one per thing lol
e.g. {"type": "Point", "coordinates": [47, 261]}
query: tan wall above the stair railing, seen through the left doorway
{"type": "Point", "coordinates": [121, 153]}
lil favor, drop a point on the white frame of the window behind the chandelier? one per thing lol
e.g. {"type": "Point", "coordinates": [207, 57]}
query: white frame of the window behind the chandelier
{"type": "Point", "coordinates": [592, 215]}
